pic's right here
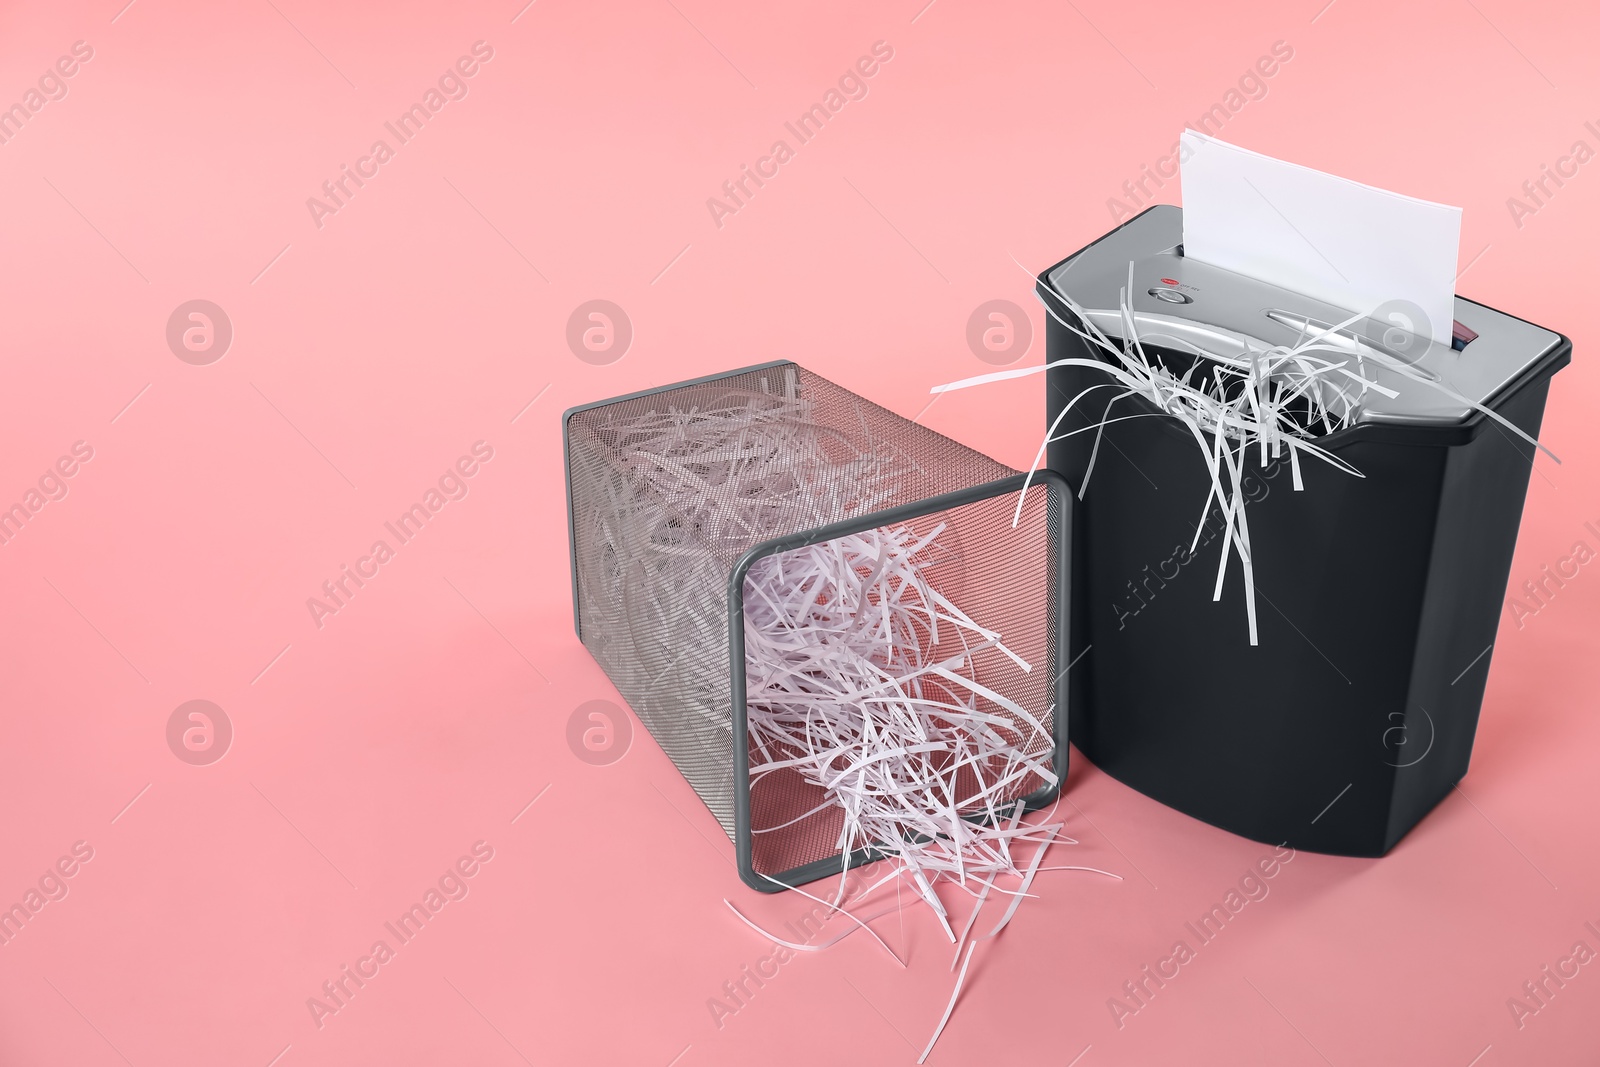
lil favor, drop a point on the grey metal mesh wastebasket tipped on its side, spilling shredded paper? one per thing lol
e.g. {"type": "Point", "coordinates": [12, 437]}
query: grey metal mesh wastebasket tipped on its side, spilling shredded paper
{"type": "Point", "coordinates": [674, 497]}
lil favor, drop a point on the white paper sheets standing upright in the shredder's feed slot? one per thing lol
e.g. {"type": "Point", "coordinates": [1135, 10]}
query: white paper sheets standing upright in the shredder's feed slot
{"type": "Point", "coordinates": [1351, 246]}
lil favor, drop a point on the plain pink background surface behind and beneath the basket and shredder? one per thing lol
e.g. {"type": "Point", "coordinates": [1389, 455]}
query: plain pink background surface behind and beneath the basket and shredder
{"type": "Point", "coordinates": [375, 748]}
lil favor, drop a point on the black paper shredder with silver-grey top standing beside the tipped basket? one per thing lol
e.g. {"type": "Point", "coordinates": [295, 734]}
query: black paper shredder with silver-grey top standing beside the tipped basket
{"type": "Point", "coordinates": [1378, 596]}
